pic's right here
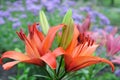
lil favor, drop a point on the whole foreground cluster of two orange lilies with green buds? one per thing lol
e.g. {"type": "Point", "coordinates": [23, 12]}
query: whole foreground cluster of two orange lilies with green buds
{"type": "Point", "coordinates": [75, 48]}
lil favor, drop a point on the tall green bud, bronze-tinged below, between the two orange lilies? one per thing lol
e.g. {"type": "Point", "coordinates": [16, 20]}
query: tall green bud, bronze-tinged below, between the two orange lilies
{"type": "Point", "coordinates": [68, 30]}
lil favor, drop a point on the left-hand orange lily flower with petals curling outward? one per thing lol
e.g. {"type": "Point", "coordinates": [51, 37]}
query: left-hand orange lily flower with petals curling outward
{"type": "Point", "coordinates": [37, 48]}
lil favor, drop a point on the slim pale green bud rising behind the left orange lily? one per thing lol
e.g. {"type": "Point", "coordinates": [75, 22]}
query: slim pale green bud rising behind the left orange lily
{"type": "Point", "coordinates": [44, 22]}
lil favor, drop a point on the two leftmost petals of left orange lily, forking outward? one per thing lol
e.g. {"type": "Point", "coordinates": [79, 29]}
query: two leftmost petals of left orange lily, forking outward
{"type": "Point", "coordinates": [19, 57]}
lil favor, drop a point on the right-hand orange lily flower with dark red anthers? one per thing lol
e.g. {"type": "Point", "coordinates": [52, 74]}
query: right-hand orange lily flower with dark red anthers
{"type": "Point", "coordinates": [79, 53]}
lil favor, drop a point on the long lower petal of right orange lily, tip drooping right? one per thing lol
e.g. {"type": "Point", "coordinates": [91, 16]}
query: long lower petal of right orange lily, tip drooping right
{"type": "Point", "coordinates": [84, 61]}
